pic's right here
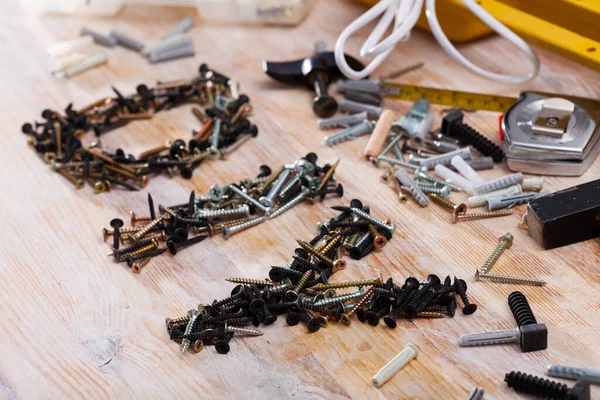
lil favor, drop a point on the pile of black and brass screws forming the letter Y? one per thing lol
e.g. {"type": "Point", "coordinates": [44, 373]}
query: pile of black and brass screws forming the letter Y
{"type": "Point", "coordinates": [303, 292]}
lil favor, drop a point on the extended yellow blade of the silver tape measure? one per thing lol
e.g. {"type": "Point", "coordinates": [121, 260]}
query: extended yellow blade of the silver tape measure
{"type": "Point", "coordinates": [452, 98]}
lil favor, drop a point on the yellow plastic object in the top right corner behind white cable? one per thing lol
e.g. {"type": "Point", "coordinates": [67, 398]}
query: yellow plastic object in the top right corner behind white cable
{"type": "Point", "coordinates": [565, 27]}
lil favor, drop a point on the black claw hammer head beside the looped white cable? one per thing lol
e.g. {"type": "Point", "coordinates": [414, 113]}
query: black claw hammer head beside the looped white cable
{"type": "Point", "coordinates": [317, 72]}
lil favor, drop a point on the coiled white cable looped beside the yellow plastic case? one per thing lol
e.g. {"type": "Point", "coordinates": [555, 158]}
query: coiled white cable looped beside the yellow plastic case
{"type": "Point", "coordinates": [405, 14]}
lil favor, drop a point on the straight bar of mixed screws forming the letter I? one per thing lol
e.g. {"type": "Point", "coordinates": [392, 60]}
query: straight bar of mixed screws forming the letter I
{"type": "Point", "coordinates": [226, 209]}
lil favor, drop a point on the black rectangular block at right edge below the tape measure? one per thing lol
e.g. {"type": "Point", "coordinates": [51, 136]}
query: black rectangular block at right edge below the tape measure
{"type": "Point", "coordinates": [565, 217]}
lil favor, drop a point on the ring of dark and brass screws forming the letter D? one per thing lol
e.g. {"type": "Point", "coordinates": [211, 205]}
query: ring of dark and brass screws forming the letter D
{"type": "Point", "coordinates": [225, 127]}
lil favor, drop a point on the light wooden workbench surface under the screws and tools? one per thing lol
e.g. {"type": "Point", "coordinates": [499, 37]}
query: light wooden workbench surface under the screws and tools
{"type": "Point", "coordinates": [76, 325]}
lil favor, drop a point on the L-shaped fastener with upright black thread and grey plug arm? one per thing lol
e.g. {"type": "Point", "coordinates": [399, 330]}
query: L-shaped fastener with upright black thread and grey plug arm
{"type": "Point", "coordinates": [531, 335]}
